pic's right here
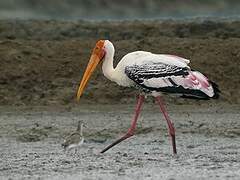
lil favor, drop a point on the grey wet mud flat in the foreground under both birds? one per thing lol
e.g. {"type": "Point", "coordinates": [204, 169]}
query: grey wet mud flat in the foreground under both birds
{"type": "Point", "coordinates": [207, 142]}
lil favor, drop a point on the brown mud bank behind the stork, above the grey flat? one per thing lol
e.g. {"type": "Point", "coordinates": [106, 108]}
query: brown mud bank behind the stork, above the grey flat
{"type": "Point", "coordinates": [42, 61]}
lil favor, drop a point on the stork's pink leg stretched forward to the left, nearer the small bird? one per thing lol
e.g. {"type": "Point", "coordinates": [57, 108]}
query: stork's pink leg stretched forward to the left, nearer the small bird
{"type": "Point", "coordinates": [131, 130]}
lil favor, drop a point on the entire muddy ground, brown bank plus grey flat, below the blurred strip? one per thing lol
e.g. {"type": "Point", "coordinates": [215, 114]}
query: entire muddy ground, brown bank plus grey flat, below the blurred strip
{"type": "Point", "coordinates": [41, 66]}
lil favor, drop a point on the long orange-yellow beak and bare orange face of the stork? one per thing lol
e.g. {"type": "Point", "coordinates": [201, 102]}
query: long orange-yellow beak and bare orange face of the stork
{"type": "Point", "coordinates": [97, 55]}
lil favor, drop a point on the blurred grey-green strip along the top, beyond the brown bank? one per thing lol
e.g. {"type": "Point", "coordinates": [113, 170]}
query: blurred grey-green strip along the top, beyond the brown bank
{"type": "Point", "coordinates": [113, 9]}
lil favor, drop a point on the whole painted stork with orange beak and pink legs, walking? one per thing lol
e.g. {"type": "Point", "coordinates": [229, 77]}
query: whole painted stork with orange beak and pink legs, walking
{"type": "Point", "coordinates": [152, 74]}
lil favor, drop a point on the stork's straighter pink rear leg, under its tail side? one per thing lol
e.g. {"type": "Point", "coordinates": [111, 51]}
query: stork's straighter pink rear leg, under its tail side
{"type": "Point", "coordinates": [170, 124]}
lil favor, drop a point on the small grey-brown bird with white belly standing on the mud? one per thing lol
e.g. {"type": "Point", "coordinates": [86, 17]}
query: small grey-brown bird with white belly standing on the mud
{"type": "Point", "coordinates": [75, 139]}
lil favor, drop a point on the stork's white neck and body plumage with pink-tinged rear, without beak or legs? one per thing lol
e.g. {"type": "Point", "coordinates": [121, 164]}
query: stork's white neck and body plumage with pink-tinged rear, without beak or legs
{"type": "Point", "coordinates": [154, 64]}
